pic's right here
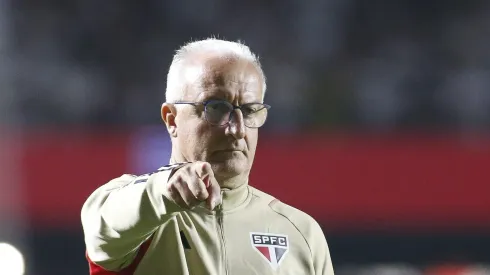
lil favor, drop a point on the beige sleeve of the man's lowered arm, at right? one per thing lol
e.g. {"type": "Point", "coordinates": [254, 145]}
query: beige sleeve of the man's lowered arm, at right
{"type": "Point", "coordinates": [320, 251]}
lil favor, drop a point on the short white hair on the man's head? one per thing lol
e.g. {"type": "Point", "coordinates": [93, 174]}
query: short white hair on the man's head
{"type": "Point", "coordinates": [176, 86]}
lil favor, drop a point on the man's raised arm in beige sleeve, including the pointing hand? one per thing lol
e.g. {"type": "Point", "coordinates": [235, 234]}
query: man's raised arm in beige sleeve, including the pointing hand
{"type": "Point", "coordinates": [121, 215]}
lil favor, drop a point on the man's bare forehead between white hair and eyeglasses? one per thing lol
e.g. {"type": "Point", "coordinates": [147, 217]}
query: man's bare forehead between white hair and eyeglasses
{"type": "Point", "coordinates": [228, 78]}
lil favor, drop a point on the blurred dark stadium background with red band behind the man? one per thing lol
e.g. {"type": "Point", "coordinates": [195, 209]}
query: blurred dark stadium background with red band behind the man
{"type": "Point", "coordinates": [381, 110]}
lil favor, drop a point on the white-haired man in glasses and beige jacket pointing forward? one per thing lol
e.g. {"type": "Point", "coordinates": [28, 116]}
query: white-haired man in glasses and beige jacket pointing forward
{"type": "Point", "coordinates": [198, 215]}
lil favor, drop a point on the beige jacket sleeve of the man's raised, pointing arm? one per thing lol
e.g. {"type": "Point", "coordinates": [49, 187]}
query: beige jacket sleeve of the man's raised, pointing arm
{"type": "Point", "coordinates": [121, 215]}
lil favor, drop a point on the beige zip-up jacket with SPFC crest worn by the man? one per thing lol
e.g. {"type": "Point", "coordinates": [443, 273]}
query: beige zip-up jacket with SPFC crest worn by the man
{"type": "Point", "coordinates": [130, 228]}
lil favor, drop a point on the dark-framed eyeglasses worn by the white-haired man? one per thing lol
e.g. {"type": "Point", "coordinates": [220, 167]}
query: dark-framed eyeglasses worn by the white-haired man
{"type": "Point", "coordinates": [219, 112]}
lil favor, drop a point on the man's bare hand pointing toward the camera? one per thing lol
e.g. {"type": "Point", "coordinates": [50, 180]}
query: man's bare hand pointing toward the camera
{"type": "Point", "coordinates": [193, 184]}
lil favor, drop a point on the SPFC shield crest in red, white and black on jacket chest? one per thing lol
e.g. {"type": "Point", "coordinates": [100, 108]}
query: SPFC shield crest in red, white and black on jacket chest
{"type": "Point", "coordinates": [272, 247]}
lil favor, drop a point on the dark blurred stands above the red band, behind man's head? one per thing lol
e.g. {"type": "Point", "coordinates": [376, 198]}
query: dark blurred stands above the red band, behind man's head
{"type": "Point", "coordinates": [418, 65]}
